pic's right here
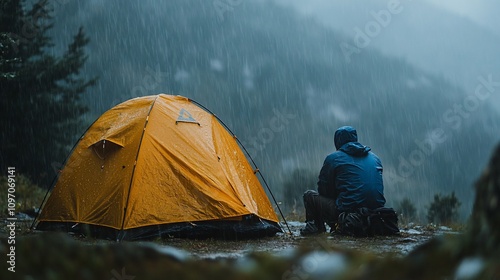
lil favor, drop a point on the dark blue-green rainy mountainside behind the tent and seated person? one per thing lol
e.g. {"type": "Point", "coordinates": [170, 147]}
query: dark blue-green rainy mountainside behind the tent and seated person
{"type": "Point", "coordinates": [283, 85]}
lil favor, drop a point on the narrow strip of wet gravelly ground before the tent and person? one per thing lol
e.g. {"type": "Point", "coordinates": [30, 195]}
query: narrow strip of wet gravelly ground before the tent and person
{"type": "Point", "coordinates": [286, 243]}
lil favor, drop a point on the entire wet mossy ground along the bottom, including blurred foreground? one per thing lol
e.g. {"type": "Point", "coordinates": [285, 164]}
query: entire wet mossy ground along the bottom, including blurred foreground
{"type": "Point", "coordinates": [50, 255]}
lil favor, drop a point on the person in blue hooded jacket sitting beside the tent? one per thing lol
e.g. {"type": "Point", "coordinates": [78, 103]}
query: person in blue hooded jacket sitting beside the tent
{"type": "Point", "coordinates": [350, 178]}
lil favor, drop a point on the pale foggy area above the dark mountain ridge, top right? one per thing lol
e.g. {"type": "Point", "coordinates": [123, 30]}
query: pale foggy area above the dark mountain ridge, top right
{"type": "Point", "coordinates": [427, 36]}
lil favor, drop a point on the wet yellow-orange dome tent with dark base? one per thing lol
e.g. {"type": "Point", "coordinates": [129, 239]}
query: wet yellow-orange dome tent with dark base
{"type": "Point", "coordinates": [155, 166]}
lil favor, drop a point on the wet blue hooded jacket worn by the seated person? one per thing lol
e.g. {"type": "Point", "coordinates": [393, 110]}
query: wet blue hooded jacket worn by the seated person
{"type": "Point", "coordinates": [352, 175]}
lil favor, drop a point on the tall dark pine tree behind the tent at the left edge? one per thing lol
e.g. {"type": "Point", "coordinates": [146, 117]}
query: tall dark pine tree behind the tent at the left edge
{"type": "Point", "coordinates": [40, 105]}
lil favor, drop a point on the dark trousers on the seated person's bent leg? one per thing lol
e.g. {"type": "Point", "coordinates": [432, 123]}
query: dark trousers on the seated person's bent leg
{"type": "Point", "coordinates": [320, 210]}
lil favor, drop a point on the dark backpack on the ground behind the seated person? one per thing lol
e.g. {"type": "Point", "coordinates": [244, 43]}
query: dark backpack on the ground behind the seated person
{"type": "Point", "coordinates": [363, 222]}
